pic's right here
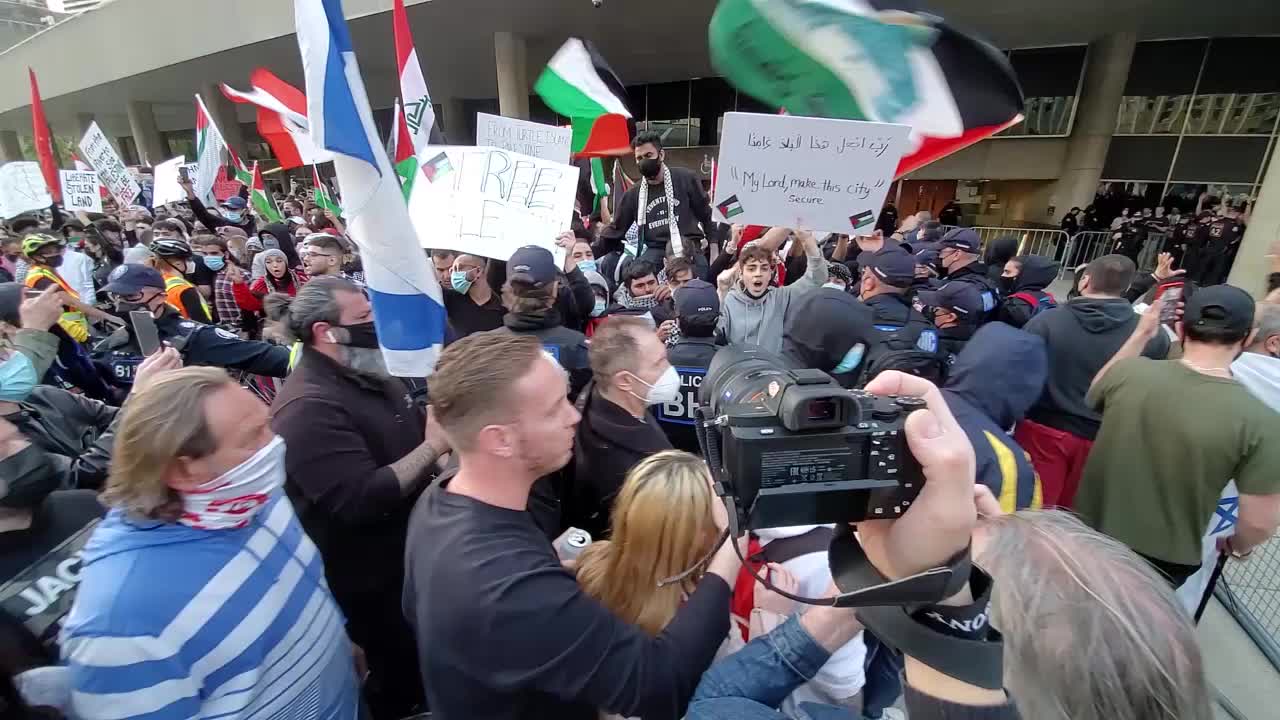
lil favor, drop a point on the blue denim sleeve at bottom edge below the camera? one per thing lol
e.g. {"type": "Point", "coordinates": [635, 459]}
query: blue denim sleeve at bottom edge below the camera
{"type": "Point", "coordinates": [755, 681]}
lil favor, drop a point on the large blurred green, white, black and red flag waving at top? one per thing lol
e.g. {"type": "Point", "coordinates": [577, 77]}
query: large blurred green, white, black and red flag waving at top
{"type": "Point", "coordinates": [868, 61]}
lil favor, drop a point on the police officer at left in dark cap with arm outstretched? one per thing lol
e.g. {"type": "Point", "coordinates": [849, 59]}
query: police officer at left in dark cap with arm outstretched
{"type": "Point", "coordinates": [139, 288]}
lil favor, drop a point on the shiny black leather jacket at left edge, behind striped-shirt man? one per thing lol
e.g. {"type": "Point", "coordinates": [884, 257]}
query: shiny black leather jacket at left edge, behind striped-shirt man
{"type": "Point", "coordinates": [77, 434]}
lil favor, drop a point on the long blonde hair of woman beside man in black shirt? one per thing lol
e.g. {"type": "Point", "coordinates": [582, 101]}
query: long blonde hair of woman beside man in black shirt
{"type": "Point", "coordinates": [662, 526]}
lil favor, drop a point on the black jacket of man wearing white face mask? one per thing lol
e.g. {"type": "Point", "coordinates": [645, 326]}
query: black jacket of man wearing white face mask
{"type": "Point", "coordinates": [610, 443]}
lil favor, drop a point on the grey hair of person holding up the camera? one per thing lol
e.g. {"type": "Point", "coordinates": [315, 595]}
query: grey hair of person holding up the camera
{"type": "Point", "coordinates": [1091, 631]}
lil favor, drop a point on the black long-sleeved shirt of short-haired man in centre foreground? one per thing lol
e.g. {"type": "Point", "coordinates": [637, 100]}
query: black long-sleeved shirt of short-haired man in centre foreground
{"type": "Point", "coordinates": [506, 634]}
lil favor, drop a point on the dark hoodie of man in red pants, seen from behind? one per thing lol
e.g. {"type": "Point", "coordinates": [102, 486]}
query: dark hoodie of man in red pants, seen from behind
{"type": "Point", "coordinates": [1081, 338]}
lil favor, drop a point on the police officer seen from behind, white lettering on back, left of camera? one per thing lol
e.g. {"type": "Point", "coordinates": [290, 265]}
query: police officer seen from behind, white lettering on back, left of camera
{"type": "Point", "coordinates": [697, 317]}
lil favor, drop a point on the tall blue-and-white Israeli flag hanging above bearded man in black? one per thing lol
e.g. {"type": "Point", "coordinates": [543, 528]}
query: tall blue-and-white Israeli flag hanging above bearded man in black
{"type": "Point", "coordinates": [409, 309]}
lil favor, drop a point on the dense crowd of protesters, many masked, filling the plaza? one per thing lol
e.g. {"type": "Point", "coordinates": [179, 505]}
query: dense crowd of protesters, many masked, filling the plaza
{"type": "Point", "coordinates": [258, 520]}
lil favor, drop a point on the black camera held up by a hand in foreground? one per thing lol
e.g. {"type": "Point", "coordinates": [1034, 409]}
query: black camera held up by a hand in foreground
{"type": "Point", "coordinates": [796, 449]}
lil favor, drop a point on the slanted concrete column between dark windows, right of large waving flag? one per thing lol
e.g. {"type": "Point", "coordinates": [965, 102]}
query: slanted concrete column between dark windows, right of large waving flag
{"type": "Point", "coordinates": [1095, 120]}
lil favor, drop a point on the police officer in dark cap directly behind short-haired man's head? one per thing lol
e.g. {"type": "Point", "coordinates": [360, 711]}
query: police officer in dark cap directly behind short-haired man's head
{"type": "Point", "coordinates": [529, 294]}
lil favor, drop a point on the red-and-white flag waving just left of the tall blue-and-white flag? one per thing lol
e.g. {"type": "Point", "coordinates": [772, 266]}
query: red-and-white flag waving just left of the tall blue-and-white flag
{"type": "Point", "coordinates": [282, 119]}
